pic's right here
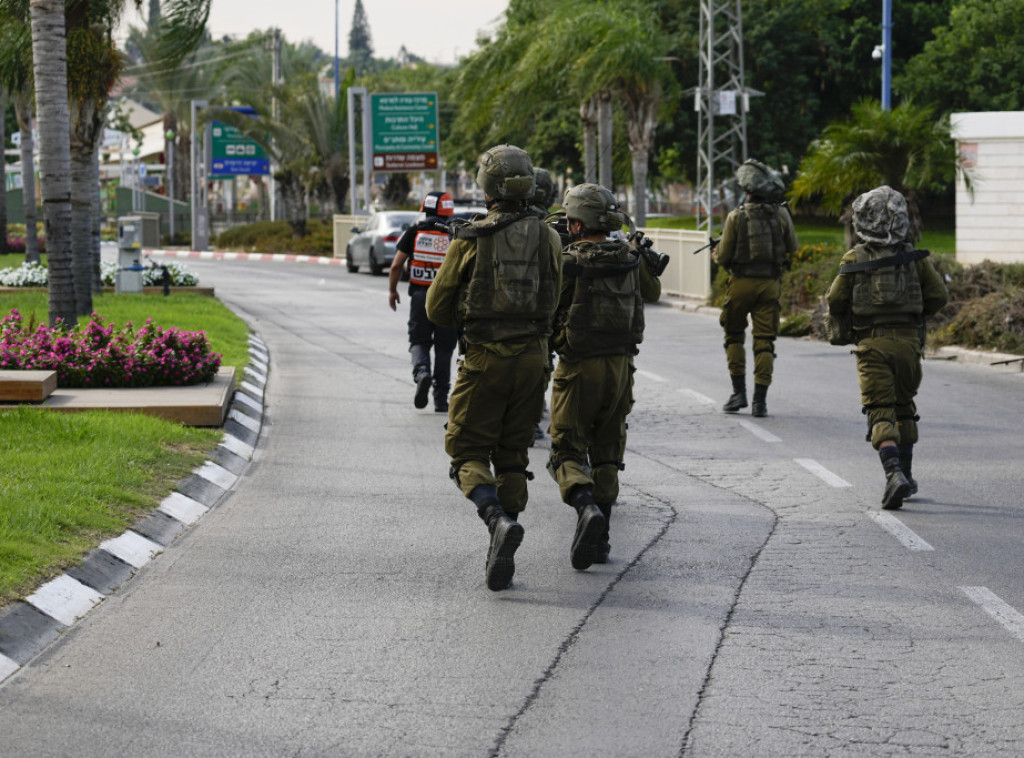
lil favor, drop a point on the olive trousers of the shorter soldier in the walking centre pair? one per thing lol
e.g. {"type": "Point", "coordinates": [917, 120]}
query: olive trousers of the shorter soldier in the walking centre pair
{"type": "Point", "coordinates": [590, 401]}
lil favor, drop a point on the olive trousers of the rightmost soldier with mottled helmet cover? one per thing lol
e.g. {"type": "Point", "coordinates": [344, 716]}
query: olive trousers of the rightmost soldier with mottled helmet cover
{"type": "Point", "coordinates": [889, 371]}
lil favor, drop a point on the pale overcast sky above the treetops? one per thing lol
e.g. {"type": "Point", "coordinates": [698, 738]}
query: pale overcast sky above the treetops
{"type": "Point", "coordinates": [440, 31]}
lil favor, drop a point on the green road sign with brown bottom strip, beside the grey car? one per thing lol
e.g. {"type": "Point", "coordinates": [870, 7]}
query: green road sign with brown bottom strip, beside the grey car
{"type": "Point", "coordinates": [405, 132]}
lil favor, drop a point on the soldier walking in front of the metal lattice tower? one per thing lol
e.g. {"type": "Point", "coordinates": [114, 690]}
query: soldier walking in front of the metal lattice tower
{"type": "Point", "coordinates": [756, 245]}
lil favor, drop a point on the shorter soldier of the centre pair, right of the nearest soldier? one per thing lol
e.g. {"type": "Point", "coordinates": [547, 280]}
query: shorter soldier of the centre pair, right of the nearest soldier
{"type": "Point", "coordinates": [599, 325]}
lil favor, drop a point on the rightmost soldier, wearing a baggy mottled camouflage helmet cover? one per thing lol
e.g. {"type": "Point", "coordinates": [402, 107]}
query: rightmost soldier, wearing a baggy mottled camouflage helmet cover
{"type": "Point", "coordinates": [880, 301]}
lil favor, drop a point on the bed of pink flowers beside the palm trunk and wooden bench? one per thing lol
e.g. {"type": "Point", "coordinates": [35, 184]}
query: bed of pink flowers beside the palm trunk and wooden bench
{"type": "Point", "coordinates": [99, 355]}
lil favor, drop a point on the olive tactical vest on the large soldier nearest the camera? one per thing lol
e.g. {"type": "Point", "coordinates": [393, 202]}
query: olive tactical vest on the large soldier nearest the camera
{"type": "Point", "coordinates": [511, 294]}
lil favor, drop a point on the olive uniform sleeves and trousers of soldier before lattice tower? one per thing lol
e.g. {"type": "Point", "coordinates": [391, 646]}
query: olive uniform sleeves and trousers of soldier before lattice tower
{"type": "Point", "coordinates": [755, 291]}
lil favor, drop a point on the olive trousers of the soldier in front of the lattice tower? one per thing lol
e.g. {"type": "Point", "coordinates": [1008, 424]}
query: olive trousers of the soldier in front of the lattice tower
{"type": "Point", "coordinates": [759, 300]}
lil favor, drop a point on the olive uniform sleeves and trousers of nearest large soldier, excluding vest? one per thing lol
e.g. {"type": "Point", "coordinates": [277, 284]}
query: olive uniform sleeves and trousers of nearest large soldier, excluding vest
{"type": "Point", "coordinates": [499, 392]}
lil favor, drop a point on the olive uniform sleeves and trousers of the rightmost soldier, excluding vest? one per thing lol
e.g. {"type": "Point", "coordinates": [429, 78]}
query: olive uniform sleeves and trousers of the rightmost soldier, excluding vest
{"type": "Point", "coordinates": [889, 353]}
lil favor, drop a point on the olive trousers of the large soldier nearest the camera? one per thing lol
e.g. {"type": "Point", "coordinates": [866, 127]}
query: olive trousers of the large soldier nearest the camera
{"type": "Point", "coordinates": [493, 413]}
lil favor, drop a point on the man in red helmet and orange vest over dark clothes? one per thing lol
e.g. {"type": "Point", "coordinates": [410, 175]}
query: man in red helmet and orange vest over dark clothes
{"type": "Point", "coordinates": [424, 244]}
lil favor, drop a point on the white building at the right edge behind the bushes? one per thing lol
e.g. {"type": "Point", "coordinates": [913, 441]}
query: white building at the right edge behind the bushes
{"type": "Point", "coordinates": [991, 220]}
